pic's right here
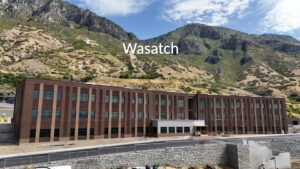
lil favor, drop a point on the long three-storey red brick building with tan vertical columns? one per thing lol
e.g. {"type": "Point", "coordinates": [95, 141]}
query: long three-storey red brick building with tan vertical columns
{"type": "Point", "coordinates": [48, 110]}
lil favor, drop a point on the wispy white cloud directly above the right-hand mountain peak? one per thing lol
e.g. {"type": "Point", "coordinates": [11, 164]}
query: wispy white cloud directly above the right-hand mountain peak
{"type": "Point", "coordinates": [210, 12]}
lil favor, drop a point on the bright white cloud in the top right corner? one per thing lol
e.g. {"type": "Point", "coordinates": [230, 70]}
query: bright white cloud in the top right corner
{"type": "Point", "coordinates": [282, 17]}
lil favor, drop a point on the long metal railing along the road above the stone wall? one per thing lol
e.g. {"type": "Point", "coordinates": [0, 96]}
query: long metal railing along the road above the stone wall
{"type": "Point", "coordinates": [28, 160]}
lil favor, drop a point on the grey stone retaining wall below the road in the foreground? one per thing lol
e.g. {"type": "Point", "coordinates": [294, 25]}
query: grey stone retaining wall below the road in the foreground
{"type": "Point", "coordinates": [236, 156]}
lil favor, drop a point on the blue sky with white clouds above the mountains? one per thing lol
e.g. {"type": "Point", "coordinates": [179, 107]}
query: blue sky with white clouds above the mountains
{"type": "Point", "coordinates": [151, 18]}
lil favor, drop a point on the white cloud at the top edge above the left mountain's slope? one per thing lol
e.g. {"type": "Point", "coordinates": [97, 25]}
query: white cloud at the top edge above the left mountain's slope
{"type": "Point", "coordinates": [115, 7]}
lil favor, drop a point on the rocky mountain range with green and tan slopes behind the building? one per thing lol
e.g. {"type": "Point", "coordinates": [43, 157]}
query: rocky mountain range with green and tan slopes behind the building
{"type": "Point", "coordinates": [56, 40]}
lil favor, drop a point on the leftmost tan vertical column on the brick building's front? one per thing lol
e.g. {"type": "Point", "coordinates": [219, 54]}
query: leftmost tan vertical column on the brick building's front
{"type": "Point", "coordinates": [39, 115]}
